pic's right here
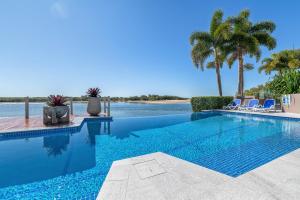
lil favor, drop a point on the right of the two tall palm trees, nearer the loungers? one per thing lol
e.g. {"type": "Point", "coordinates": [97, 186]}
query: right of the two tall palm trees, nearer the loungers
{"type": "Point", "coordinates": [246, 39]}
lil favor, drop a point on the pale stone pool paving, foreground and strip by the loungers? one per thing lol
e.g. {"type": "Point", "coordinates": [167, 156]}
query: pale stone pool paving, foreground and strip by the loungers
{"type": "Point", "coordinates": [159, 176]}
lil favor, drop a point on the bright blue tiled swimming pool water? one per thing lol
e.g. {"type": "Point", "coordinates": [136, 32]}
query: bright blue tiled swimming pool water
{"type": "Point", "coordinates": [73, 163]}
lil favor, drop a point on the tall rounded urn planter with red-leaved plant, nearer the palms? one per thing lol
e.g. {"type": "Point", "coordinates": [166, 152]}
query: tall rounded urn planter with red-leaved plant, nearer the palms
{"type": "Point", "coordinates": [94, 105]}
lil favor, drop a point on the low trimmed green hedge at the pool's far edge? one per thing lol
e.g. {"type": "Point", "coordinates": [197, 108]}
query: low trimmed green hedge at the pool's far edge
{"type": "Point", "coordinates": [208, 103]}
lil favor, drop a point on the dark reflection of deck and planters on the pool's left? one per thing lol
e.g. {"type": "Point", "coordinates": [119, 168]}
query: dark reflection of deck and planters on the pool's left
{"type": "Point", "coordinates": [33, 159]}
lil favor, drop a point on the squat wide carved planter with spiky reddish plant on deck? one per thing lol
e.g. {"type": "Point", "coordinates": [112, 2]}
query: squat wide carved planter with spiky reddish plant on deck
{"type": "Point", "coordinates": [56, 110]}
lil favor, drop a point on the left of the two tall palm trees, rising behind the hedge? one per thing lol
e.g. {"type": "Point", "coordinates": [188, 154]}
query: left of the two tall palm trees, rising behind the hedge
{"type": "Point", "coordinates": [210, 44]}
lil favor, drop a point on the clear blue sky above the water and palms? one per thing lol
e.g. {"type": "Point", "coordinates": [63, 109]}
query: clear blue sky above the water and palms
{"type": "Point", "coordinates": [126, 47]}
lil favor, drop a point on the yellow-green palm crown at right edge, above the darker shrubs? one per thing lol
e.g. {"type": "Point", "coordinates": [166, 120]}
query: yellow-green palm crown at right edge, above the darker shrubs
{"type": "Point", "coordinates": [281, 62]}
